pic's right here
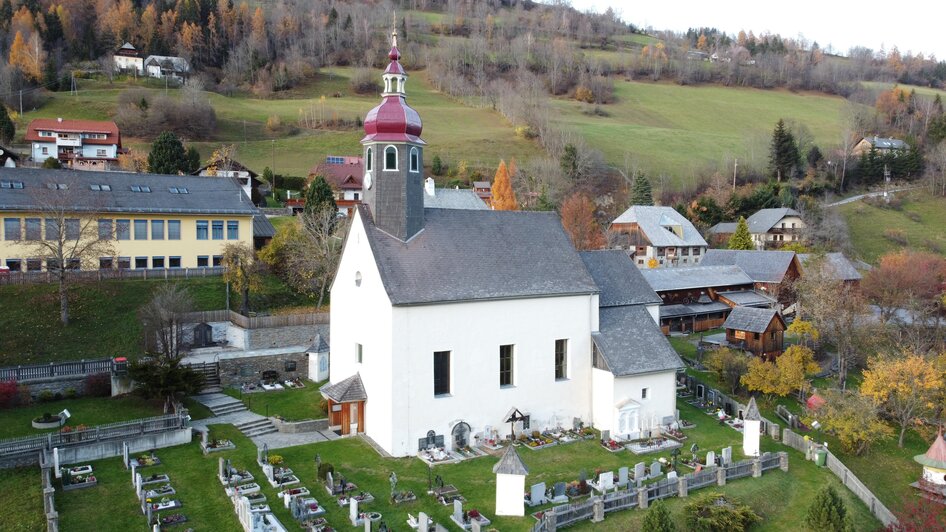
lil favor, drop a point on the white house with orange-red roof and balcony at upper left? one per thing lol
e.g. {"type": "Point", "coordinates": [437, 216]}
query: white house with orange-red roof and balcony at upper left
{"type": "Point", "coordinates": [77, 144]}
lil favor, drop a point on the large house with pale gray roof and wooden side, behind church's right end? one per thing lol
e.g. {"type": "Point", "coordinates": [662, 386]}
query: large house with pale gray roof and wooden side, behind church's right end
{"type": "Point", "coordinates": [658, 237]}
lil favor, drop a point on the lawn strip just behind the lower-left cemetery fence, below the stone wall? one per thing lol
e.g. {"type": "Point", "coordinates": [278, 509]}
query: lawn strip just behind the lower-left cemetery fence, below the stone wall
{"type": "Point", "coordinates": [89, 411]}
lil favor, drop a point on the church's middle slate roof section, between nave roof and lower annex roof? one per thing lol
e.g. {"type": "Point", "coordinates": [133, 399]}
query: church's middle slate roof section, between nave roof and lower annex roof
{"type": "Point", "coordinates": [619, 280]}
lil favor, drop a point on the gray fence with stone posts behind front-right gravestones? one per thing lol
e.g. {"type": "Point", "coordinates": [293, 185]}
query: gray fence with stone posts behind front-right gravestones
{"type": "Point", "coordinates": [570, 514]}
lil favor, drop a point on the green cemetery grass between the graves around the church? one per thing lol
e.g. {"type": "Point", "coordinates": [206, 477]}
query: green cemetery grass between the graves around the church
{"type": "Point", "coordinates": [780, 497]}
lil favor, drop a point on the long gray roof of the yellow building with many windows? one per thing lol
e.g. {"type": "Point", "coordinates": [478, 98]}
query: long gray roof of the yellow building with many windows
{"type": "Point", "coordinates": [204, 196]}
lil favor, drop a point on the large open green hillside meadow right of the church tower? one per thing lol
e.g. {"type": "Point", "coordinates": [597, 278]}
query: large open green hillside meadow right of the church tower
{"type": "Point", "coordinates": [681, 130]}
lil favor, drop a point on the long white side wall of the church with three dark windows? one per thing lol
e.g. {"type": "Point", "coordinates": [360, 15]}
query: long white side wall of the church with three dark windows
{"type": "Point", "coordinates": [473, 333]}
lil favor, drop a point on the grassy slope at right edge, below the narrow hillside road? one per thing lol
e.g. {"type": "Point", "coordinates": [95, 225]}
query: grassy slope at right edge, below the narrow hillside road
{"type": "Point", "coordinates": [922, 221]}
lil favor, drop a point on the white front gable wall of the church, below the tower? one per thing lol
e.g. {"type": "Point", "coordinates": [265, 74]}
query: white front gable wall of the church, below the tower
{"type": "Point", "coordinates": [362, 314]}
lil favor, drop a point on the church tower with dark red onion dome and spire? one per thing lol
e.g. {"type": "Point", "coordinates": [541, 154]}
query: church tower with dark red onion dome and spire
{"type": "Point", "coordinates": [394, 162]}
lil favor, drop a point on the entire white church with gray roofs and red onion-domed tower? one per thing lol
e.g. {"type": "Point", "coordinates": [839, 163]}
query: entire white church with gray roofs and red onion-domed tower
{"type": "Point", "coordinates": [447, 323]}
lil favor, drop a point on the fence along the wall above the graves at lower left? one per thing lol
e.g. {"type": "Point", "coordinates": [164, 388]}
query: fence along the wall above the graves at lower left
{"type": "Point", "coordinates": [111, 431]}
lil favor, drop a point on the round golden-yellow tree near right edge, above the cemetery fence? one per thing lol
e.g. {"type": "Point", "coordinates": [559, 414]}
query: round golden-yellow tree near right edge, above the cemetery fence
{"type": "Point", "coordinates": [904, 387]}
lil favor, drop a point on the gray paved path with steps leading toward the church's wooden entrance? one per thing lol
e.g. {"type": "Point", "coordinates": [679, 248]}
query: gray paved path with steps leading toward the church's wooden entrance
{"type": "Point", "coordinates": [230, 411]}
